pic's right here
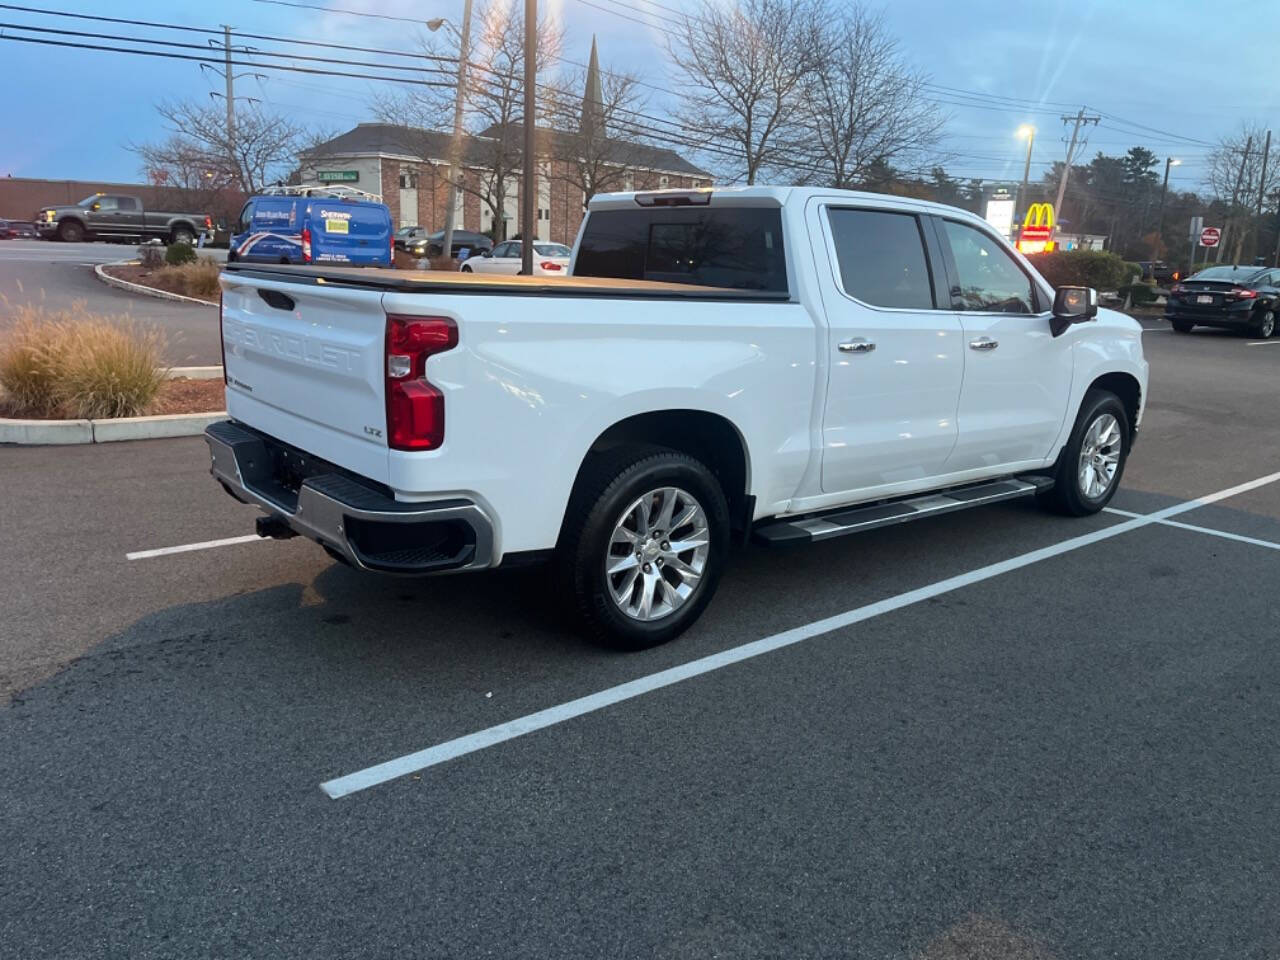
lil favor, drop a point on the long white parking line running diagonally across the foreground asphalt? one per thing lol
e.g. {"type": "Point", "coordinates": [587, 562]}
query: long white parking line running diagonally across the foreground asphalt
{"type": "Point", "coordinates": [491, 737]}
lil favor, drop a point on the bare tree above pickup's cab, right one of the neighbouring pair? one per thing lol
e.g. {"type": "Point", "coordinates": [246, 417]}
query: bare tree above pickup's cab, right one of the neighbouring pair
{"type": "Point", "coordinates": [865, 104]}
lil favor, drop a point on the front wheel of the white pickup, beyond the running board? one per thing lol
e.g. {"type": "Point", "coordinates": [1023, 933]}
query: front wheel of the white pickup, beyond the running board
{"type": "Point", "coordinates": [1076, 492]}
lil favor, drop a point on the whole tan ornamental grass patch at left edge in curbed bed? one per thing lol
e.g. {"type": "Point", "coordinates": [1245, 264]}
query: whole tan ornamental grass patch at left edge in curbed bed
{"type": "Point", "coordinates": [76, 364]}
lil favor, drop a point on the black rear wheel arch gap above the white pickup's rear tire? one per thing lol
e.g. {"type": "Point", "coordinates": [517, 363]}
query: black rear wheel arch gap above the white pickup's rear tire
{"type": "Point", "coordinates": [707, 437]}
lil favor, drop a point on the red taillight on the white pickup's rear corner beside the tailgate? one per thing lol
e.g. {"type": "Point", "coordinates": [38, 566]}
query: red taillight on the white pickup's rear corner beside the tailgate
{"type": "Point", "coordinates": [415, 409]}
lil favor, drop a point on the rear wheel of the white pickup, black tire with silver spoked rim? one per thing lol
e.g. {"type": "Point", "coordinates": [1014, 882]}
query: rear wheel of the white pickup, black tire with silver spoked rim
{"type": "Point", "coordinates": [618, 505]}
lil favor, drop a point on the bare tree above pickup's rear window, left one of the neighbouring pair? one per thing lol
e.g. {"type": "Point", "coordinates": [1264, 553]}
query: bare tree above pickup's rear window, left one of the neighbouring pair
{"type": "Point", "coordinates": [744, 72]}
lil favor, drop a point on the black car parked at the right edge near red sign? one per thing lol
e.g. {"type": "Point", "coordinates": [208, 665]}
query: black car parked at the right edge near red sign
{"type": "Point", "coordinates": [1228, 296]}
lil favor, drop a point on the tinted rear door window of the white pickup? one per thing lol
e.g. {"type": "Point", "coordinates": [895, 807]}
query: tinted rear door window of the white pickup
{"type": "Point", "coordinates": [883, 259]}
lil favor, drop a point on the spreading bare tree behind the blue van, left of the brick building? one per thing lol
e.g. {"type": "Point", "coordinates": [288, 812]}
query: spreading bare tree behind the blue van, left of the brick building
{"type": "Point", "coordinates": [260, 150]}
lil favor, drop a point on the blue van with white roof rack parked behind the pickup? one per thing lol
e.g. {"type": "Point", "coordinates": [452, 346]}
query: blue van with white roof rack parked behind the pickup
{"type": "Point", "coordinates": [313, 228]}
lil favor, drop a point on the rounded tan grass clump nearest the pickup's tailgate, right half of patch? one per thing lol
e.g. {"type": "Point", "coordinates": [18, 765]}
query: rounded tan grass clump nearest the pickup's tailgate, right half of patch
{"type": "Point", "coordinates": [112, 371]}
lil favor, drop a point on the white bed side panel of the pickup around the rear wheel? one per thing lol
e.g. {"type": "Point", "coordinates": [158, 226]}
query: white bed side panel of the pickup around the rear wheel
{"type": "Point", "coordinates": [536, 381]}
